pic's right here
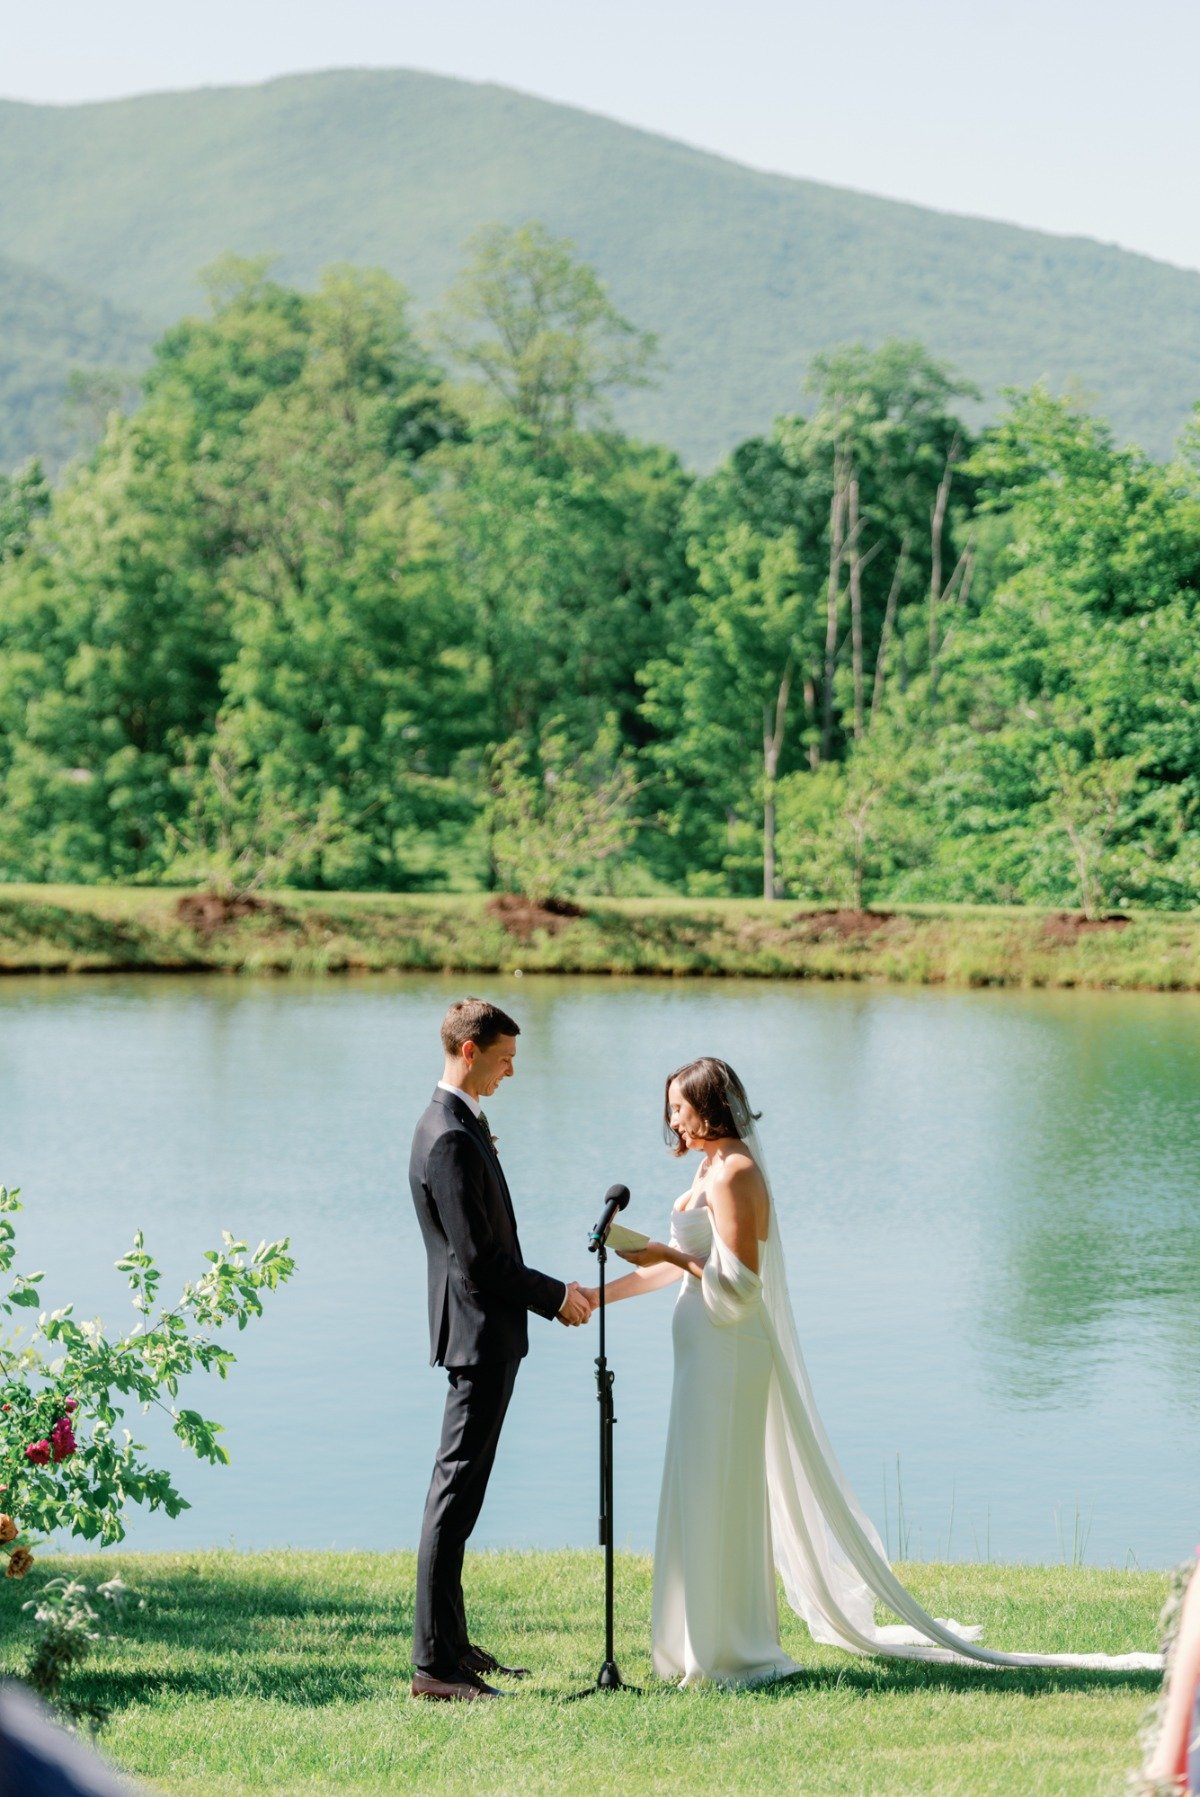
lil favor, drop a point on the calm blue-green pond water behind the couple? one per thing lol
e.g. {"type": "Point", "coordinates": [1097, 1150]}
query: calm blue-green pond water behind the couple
{"type": "Point", "coordinates": [989, 1201]}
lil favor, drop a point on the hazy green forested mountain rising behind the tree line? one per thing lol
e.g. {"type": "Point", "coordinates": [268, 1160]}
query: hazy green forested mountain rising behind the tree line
{"type": "Point", "coordinates": [743, 274]}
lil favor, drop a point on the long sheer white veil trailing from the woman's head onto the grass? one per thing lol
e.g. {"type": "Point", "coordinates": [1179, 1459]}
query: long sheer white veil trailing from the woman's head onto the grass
{"type": "Point", "coordinates": [827, 1552]}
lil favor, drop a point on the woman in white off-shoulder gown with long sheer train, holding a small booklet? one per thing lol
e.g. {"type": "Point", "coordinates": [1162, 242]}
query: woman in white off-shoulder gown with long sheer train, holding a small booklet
{"type": "Point", "coordinates": [750, 1480]}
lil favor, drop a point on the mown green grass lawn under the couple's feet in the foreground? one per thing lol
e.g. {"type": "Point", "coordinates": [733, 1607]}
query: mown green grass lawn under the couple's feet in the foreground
{"type": "Point", "coordinates": [290, 1674]}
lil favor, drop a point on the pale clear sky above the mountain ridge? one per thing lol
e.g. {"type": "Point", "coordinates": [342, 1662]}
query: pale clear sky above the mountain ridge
{"type": "Point", "coordinates": [1070, 116]}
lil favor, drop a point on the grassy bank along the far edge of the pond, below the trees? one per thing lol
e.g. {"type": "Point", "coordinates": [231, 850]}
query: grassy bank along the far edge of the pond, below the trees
{"type": "Point", "coordinates": [141, 930]}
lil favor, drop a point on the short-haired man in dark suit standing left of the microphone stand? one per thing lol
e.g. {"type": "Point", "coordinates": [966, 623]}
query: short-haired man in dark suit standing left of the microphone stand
{"type": "Point", "coordinates": [481, 1295]}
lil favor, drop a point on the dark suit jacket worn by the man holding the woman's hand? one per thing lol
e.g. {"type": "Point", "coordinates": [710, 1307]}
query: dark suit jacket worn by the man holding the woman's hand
{"type": "Point", "coordinates": [481, 1289]}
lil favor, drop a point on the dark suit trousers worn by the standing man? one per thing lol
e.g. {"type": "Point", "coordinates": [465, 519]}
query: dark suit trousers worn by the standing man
{"type": "Point", "coordinates": [475, 1412]}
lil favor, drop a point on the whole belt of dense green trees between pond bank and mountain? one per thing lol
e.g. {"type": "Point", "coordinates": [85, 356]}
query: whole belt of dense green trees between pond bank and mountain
{"type": "Point", "coordinates": [312, 615]}
